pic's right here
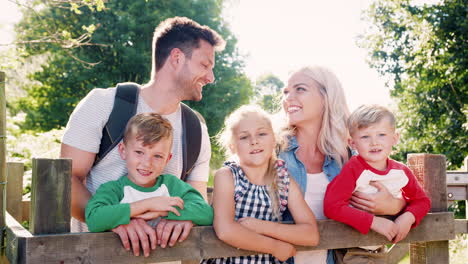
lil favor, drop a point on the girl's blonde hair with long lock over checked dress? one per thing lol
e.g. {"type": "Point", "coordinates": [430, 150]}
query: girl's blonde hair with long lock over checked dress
{"type": "Point", "coordinates": [226, 139]}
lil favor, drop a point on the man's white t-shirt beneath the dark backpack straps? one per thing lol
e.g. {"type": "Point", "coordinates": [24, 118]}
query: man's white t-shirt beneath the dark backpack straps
{"type": "Point", "coordinates": [84, 131]}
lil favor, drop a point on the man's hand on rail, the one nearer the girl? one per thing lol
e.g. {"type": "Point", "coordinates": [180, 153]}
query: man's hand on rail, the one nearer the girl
{"type": "Point", "coordinates": [172, 231]}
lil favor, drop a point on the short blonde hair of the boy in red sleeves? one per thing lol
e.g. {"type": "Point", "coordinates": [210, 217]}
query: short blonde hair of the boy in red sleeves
{"type": "Point", "coordinates": [367, 115]}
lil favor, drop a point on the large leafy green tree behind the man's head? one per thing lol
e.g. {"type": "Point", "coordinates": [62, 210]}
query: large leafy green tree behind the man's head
{"type": "Point", "coordinates": [124, 32]}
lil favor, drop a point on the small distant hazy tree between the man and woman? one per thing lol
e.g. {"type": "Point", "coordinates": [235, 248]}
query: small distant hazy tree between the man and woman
{"type": "Point", "coordinates": [268, 91]}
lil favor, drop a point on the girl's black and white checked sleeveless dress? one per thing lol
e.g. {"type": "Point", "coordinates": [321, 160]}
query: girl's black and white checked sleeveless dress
{"type": "Point", "coordinates": [252, 200]}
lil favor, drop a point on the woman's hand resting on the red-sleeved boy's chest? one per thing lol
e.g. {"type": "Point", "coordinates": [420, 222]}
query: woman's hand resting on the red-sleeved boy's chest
{"type": "Point", "coordinates": [380, 203]}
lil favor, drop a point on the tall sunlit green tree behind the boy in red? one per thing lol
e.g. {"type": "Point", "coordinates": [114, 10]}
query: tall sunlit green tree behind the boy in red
{"type": "Point", "coordinates": [422, 51]}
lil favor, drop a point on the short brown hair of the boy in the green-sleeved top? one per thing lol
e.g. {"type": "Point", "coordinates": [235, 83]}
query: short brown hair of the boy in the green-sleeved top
{"type": "Point", "coordinates": [149, 128]}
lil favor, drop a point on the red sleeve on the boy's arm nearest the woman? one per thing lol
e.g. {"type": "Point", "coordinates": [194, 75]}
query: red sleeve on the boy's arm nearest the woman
{"type": "Point", "coordinates": [336, 202]}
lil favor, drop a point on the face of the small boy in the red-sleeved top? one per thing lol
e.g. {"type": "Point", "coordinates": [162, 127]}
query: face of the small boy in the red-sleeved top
{"type": "Point", "coordinates": [374, 143]}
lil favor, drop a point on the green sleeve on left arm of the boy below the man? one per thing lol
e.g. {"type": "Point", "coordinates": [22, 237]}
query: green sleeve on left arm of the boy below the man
{"type": "Point", "coordinates": [104, 210]}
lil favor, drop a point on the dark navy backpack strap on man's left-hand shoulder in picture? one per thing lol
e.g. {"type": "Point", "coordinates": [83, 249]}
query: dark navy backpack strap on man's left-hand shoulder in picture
{"type": "Point", "coordinates": [125, 105]}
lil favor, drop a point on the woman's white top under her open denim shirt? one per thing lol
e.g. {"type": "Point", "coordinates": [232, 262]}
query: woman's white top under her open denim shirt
{"type": "Point", "coordinates": [316, 188]}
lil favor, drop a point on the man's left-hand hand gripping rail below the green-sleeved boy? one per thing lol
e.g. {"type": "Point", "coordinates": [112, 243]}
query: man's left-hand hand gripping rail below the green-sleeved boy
{"type": "Point", "coordinates": [137, 231]}
